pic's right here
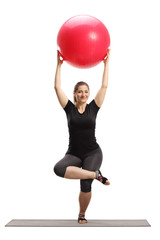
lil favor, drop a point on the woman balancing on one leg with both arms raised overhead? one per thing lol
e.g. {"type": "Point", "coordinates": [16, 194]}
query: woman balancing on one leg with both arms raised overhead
{"type": "Point", "coordinates": [84, 156]}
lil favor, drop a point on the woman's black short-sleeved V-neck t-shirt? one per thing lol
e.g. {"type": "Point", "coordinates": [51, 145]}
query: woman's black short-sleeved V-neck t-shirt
{"type": "Point", "coordinates": [81, 129]}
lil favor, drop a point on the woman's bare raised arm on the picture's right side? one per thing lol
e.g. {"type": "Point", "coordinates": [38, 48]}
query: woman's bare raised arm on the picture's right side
{"type": "Point", "coordinates": [99, 98]}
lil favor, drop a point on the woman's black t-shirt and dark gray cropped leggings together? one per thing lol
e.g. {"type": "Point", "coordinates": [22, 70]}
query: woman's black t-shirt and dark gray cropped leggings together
{"type": "Point", "coordinates": [83, 150]}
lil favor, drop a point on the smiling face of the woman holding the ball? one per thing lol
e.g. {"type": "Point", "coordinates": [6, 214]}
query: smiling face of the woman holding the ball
{"type": "Point", "coordinates": [82, 94]}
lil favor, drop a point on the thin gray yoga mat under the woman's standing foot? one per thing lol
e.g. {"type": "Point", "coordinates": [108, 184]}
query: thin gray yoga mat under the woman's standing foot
{"type": "Point", "coordinates": [74, 223]}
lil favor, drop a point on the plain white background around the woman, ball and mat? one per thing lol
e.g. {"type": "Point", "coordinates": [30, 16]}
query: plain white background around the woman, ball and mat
{"type": "Point", "coordinates": [33, 126]}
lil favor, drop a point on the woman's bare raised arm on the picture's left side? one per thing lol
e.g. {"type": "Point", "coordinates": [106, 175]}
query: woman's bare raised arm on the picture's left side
{"type": "Point", "coordinates": [60, 94]}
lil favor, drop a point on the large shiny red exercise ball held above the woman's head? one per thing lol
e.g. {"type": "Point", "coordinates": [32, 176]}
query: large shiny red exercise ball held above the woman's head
{"type": "Point", "coordinates": [83, 41]}
